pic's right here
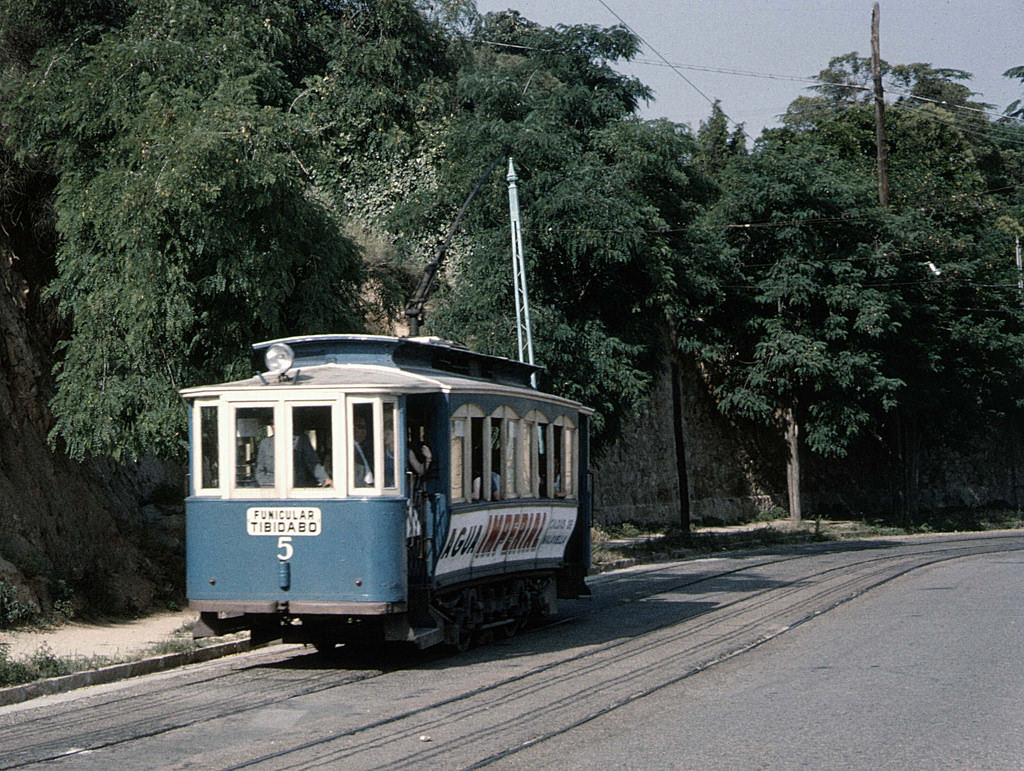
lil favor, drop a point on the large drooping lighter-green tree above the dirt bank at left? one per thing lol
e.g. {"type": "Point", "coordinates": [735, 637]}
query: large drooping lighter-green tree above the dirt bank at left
{"type": "Point", "coordinates": [185, 141]}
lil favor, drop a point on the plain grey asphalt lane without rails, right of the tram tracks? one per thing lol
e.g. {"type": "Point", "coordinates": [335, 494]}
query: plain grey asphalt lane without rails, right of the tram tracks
{"type": "Point", "coordinates": [926, 672]}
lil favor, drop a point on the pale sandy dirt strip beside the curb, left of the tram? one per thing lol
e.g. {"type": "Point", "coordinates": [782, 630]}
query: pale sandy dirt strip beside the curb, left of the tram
{"type": "Point", "coordinates": [112, 641]}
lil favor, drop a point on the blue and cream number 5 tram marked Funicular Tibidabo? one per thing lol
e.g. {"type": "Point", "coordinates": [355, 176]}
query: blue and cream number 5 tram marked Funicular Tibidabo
{"type": "Point", "coordinates": [376, 489]}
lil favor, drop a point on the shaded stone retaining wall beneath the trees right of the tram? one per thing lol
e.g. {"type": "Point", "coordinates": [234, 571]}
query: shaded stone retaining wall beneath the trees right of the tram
{"type": "Point", "coordinates": [736, 473]}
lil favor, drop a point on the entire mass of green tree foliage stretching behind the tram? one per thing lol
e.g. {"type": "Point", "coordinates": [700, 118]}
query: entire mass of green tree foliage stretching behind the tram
{"type": "Point", "coordinates": [228, 172]}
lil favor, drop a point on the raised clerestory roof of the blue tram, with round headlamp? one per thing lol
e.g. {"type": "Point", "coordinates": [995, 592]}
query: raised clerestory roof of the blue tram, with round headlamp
{"type": "Point", "coordinates": [372, 363]}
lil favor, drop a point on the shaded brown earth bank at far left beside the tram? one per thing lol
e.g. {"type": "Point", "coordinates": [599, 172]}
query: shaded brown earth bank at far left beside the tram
{"type": "Point", "coordinates": [80, 534]}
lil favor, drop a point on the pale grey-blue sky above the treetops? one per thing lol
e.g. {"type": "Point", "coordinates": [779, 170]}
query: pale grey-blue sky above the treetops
{"type": "Point", "coordinates": [753, 55]}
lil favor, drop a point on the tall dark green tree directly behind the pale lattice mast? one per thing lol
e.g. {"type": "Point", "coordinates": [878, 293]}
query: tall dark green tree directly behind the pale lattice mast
{"type": "Point", "coordinates": [606, 201]}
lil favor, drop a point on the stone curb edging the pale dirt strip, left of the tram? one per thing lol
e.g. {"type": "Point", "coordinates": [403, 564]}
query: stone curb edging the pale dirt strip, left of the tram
{"type": "Point", "coordinates": [18, 694]}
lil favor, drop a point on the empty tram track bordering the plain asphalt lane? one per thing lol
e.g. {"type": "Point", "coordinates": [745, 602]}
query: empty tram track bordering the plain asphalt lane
{"type": "Point", "coordinates": [565, 686]}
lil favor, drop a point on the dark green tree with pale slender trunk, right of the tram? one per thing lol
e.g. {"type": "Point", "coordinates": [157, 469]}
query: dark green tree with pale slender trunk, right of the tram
{"type": "Point", "coordinates": [796, 336]}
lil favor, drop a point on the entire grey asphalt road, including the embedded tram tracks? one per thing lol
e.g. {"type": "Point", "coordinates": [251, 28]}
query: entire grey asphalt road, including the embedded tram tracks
{"type": "Point", "coordinates": [880, 655]}
